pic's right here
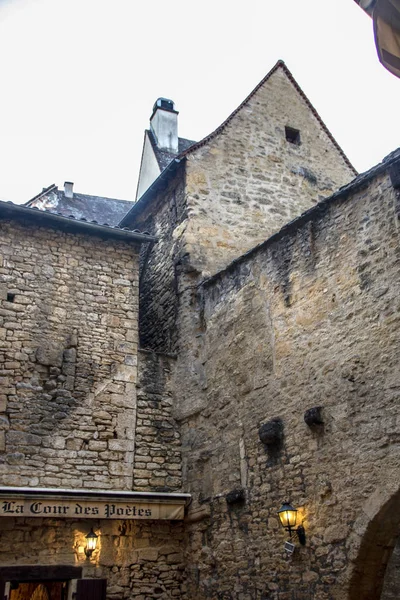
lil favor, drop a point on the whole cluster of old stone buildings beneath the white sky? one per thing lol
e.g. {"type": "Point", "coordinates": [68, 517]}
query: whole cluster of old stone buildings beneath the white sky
{"type": "Point", "coordinates": [264, 371]}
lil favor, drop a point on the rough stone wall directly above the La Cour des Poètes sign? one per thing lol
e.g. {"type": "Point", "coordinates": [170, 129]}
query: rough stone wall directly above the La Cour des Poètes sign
{"type": "Point", "coordinates": [68, 356]}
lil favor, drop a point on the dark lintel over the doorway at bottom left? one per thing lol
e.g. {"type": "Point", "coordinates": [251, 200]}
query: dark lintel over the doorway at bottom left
{"type": "Point", "coordinates": [37, 573]}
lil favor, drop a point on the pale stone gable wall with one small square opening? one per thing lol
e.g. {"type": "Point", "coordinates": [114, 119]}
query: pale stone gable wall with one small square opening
{"type": "Point", "coordinates": [248, 181]}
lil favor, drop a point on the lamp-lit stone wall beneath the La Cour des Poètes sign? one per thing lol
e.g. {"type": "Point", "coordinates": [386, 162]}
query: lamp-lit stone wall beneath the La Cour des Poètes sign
{"type": "Point", "coordinates": [140, 560]}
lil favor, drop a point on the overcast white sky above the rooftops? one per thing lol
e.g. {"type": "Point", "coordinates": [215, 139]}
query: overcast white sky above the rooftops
{"type": "Point", "coordinates": [79, 78]}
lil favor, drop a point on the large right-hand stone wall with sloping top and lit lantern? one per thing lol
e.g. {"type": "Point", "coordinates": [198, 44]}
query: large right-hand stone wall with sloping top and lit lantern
{"type": "Point", "coordinates": [309, 319]}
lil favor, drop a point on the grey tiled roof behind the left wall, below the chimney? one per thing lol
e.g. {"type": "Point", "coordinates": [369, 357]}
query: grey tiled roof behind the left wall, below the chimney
{"type": "Point", "coordinates": [103, 210]}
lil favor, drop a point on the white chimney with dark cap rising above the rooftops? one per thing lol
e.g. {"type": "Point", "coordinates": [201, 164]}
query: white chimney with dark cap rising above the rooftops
{"type": "Point", "coordinates": [164, 125]}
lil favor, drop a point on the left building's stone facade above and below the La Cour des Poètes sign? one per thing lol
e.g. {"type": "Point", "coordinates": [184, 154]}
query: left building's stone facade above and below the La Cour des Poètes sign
{"type": "Point", "coordinates": [71, 414]}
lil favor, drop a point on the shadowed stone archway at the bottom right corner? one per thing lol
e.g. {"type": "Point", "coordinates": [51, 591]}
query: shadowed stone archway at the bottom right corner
{"type": "Point", "coordinates": [377, 530]}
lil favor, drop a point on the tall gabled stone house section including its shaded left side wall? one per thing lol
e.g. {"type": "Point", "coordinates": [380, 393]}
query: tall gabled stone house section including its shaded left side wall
{"type": "Point", "coordinates": [228, 193]}
